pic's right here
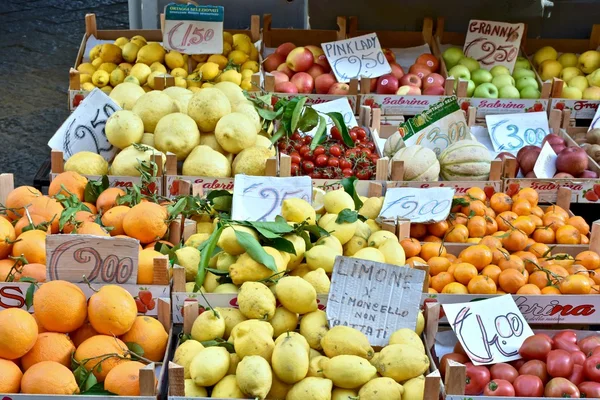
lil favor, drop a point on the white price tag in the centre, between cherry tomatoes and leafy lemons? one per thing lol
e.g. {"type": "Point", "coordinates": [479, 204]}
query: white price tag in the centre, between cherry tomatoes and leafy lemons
{"type": "Point", "coordinates": [259, 198]}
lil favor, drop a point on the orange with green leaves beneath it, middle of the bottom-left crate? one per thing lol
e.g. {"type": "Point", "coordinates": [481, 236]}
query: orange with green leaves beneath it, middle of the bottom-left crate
{"type": "Point", "coordinates": [97, 346]}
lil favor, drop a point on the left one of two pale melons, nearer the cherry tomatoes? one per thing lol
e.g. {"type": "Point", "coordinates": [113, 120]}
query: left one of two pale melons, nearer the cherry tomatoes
{"type": "Point", "coordinates": [420, 163]}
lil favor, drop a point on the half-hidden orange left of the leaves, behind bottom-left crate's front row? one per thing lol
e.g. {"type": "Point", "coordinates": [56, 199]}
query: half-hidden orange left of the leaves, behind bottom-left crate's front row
{"type": "Point", "coordinates": [49, 346]}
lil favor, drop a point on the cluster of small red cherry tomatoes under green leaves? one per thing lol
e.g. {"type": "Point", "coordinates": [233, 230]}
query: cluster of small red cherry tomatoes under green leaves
{"type": "Point", "coordinates": [332, 159]}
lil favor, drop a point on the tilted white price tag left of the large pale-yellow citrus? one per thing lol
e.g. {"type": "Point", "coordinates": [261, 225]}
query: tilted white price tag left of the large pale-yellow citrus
{"type": "Point", "coordinates": [84, 129]}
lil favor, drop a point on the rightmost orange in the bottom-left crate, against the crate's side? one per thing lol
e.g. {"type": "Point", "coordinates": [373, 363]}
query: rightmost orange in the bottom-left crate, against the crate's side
{"type": "Point", "coordinates": [150, 335]}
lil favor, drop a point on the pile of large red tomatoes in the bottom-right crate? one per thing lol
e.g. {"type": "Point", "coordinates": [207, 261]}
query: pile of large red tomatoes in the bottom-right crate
{"type": "Point", "coordinates": [558, 366]}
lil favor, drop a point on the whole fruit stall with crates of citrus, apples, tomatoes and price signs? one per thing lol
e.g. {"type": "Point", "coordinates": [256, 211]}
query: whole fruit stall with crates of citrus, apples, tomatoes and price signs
{"type": "Point", "coordinates": [303, 214]}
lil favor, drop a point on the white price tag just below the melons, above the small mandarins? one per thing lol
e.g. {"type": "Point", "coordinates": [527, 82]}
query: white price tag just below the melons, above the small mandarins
{"type": "Point", "coordinates": [418, 205]}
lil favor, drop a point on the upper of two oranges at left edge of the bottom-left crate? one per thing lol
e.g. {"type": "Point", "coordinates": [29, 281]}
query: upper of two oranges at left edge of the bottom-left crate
{"type": "Point", "coordinates": [18, 333]}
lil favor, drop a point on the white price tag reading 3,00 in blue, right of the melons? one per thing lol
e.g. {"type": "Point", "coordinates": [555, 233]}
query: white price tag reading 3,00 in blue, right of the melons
{"type": "Point", "coordinates": [511, 132]}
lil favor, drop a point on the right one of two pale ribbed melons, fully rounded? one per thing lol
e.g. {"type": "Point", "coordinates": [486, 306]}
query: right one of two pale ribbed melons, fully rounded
{"type": "Point", "coordinates": [465, 160]}
